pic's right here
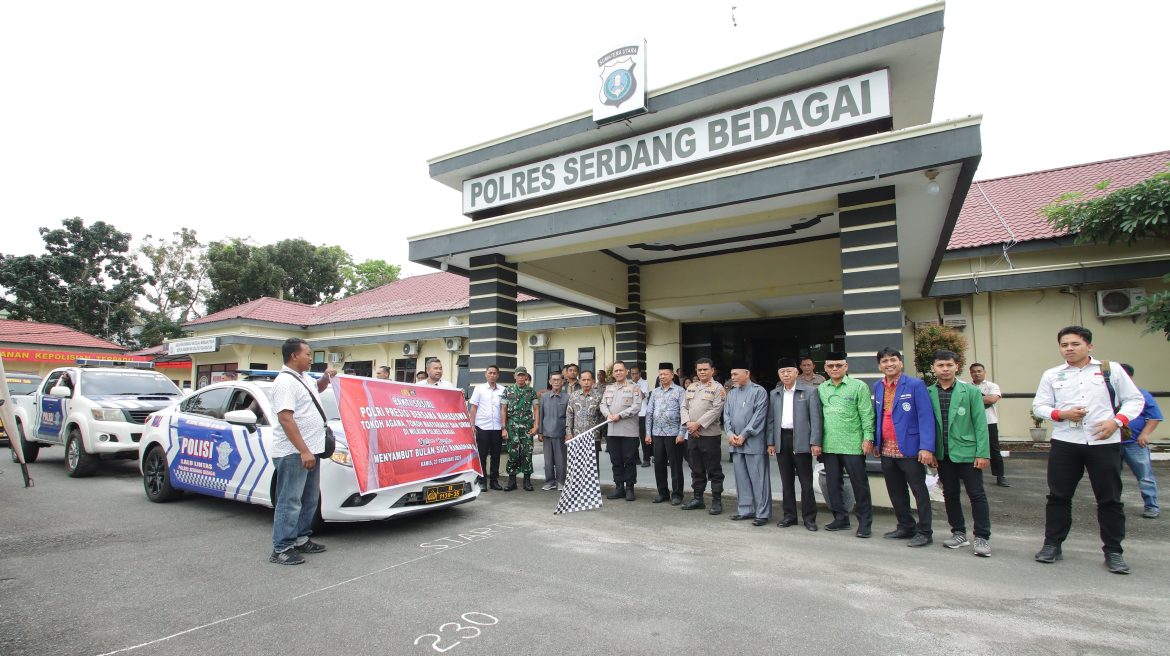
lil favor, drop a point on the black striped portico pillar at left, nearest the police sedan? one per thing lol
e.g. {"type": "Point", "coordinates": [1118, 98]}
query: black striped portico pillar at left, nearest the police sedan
{"type": "Point", "coordinates": [493, 317]}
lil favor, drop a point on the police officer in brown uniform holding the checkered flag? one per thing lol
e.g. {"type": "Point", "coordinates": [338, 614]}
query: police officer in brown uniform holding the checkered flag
{"type": "Point", "coordinates": [621, 406]}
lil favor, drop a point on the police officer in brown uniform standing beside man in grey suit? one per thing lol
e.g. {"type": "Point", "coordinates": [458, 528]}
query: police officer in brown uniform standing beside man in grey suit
{"type": "Point", "coordinates": [703, 417]}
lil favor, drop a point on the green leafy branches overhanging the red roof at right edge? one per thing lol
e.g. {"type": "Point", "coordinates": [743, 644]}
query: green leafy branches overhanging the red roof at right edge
{"type": "Point", "coordinates": [1130, 215]}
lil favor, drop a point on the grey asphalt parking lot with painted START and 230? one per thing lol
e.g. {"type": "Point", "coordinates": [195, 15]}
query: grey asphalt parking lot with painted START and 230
{"type": "Point", "coordinates": [90, 567]}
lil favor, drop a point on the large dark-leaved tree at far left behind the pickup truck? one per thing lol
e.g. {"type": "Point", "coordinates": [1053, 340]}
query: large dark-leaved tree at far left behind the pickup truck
{"type": "Point", "coordinates": [86, 281]}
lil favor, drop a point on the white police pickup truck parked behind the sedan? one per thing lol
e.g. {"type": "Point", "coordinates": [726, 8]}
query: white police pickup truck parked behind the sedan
{"type": "Point", "coordinates": [95, 411]}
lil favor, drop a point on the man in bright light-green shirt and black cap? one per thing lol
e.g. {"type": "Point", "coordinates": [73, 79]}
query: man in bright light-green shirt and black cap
{"type": "Point", "coordinates": [849, 438]}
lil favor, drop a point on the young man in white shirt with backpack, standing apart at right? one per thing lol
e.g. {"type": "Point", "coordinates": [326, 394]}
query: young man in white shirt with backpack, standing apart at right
{"type": "Point", "coordinates": [1089, 403]}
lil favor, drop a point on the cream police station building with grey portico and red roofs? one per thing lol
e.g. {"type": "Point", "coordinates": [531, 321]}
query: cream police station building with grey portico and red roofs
{"type": "Point", "coordinates": [799, 204]}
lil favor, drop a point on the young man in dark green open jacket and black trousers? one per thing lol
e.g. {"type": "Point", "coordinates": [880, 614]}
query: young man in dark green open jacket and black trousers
{"type": "Point", "coordinates": [963, 452]}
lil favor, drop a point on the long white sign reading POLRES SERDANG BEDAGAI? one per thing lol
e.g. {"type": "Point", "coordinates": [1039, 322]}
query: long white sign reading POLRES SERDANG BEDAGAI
{"type": "Point", "coordinates": [820, 109]}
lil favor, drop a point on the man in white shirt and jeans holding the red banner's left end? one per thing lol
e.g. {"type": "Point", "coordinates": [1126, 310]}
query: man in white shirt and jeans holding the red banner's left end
{"type": "Point", "coordinates": [298, 438]}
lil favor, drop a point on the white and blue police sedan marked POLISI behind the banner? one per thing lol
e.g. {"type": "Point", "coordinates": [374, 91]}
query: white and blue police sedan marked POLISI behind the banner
{"type": "Point", "coordinates": [218, 441]}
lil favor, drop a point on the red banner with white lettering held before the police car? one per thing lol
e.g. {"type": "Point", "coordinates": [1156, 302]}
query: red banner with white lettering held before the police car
{"type": "Point", "coordinates": [402, 434]}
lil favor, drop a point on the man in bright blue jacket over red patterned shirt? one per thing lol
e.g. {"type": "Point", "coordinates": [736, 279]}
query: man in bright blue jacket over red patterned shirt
{"type": "Point", "coordinates": [905, 438]}
